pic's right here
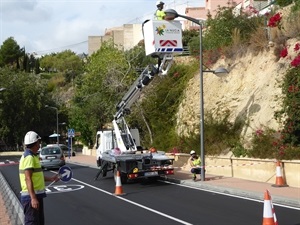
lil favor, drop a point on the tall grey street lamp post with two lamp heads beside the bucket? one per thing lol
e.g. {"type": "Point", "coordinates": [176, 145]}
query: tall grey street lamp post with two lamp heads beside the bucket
{"type": "Point", "coordinates": [170, 15]}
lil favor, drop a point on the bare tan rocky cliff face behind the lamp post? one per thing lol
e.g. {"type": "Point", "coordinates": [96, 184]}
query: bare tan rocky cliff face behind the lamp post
{"type": "Point", "coordinates": [251, 92]}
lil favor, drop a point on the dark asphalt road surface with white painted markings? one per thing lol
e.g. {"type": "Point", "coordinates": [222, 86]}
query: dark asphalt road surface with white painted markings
{"type": "Point", "coordinates": [85, 201]}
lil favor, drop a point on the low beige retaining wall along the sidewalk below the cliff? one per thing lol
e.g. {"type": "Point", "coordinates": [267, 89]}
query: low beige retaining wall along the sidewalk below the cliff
{"type": "Point", "coordinates": [261, 170]}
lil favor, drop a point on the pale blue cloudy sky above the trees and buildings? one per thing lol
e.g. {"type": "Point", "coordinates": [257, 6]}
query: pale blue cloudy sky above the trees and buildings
{"type": "Point", "coordinates": [47, 26]}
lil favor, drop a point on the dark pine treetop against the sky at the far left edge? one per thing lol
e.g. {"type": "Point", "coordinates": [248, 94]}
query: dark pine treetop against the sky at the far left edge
{"type": "Point", "coordinates": [10, 53]}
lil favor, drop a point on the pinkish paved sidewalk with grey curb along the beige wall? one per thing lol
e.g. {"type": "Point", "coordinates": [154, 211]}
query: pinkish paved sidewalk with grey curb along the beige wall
{"type": "Point", "coordinates": [244, 188]}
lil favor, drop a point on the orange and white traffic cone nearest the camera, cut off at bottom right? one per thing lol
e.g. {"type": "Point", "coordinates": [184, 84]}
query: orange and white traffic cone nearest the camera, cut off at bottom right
{"type": "Point", "coordinates": [269, 217]}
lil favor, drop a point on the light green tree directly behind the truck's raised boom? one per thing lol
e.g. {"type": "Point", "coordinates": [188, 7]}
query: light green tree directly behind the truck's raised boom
{"type": "Point", "coordinates": [108, 75]}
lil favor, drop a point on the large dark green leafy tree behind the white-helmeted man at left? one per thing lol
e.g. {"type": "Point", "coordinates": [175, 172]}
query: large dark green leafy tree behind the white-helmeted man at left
{"type": "Point", "coordinates": [22, 104]}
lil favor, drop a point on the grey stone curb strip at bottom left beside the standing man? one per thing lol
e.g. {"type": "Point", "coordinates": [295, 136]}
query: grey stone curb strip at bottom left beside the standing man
{"type": "Point", "coordinates": [12, 203]}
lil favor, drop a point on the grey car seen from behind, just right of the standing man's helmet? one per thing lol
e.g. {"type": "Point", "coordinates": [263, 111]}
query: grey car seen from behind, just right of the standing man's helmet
{"type": "Point", "coordinates": [52, 157]}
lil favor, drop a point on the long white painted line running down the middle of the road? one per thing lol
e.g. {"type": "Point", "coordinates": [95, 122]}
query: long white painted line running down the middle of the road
{"type": "Point", "coordinates": [134, 203]}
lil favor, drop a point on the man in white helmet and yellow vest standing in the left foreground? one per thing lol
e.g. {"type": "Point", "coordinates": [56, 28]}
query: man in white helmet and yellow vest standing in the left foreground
{"type": "Point", "coordinates": [32, 181]}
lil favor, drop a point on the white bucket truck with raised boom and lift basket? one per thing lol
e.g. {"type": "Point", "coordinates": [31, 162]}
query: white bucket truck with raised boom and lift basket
{"type": "Point", "coordinates": [119, 148]}
